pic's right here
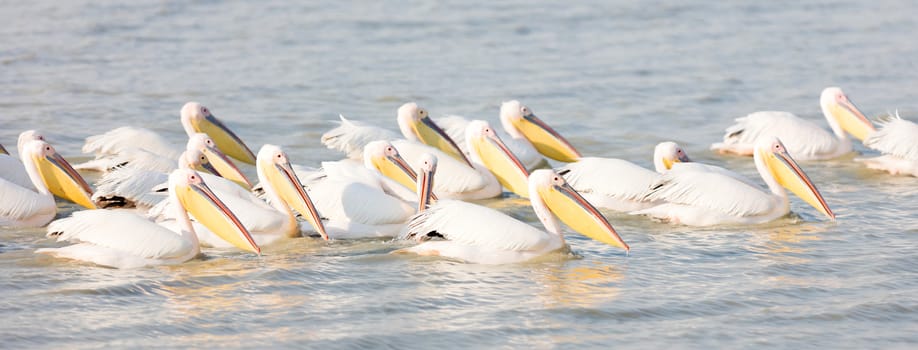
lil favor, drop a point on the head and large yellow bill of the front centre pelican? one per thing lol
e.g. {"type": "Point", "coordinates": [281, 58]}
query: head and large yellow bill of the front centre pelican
{"type": "Point", "coordinates": [549, 190]}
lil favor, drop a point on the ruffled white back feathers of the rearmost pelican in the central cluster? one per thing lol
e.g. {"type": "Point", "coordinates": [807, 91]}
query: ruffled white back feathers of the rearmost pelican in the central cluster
{"type": "Point", "coordinates": [350, 137]}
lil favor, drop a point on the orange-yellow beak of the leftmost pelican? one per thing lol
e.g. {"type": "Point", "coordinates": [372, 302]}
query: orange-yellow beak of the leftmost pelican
{"type": "Point", "coordinates": [63, 181]}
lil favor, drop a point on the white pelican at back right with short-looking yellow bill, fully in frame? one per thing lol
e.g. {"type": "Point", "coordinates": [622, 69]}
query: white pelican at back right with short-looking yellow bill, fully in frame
{"type": "Point", "coordinates": [804, 139]}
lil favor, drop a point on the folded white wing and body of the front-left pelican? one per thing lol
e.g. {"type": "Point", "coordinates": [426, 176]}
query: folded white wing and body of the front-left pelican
{"type": "Point", "coordinates": [120, 230]}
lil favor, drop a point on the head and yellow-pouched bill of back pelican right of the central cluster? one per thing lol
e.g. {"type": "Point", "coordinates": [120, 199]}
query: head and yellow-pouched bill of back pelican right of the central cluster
{"type": "Point", "coordinates": [519, 121]}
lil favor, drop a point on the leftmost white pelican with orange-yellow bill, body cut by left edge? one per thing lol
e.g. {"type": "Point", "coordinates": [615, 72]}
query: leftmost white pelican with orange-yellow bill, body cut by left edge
{"type": "Point", "coordinates": [50, 175]}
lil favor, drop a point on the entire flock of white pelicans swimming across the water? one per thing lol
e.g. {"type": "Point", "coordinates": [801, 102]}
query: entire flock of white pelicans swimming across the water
{"type": "Point", "coordinates": [418, 186]}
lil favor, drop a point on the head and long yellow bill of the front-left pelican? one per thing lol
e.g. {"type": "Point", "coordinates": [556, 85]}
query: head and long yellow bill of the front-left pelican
{"type": "Point", "coordinates": [196, 198]}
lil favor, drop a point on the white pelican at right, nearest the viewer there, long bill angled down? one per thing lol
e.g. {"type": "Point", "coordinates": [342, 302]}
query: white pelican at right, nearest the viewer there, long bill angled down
{"type": "Point", "coordinates": [699, 198]}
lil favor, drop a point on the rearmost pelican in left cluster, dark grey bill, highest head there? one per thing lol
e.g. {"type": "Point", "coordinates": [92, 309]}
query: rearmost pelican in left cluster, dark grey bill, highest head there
{"type": "Point", "coordinates": [195, 119]}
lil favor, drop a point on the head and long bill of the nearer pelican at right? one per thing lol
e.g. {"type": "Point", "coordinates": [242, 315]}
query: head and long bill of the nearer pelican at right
{"type": "Point", "coordinates": [771, 154]}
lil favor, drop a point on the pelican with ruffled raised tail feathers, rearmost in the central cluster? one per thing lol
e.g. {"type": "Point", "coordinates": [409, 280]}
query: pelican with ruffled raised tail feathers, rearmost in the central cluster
{"type": "Point", "coordinates": [414, 122]}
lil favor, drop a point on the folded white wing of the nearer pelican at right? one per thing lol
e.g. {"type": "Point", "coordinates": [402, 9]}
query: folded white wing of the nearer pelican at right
{"type": "Point", "coordinates": [710, 190]}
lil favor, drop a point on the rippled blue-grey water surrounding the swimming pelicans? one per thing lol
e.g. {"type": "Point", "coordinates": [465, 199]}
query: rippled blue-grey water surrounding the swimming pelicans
{"type": "Point", "coordinates": [615, 77]}
